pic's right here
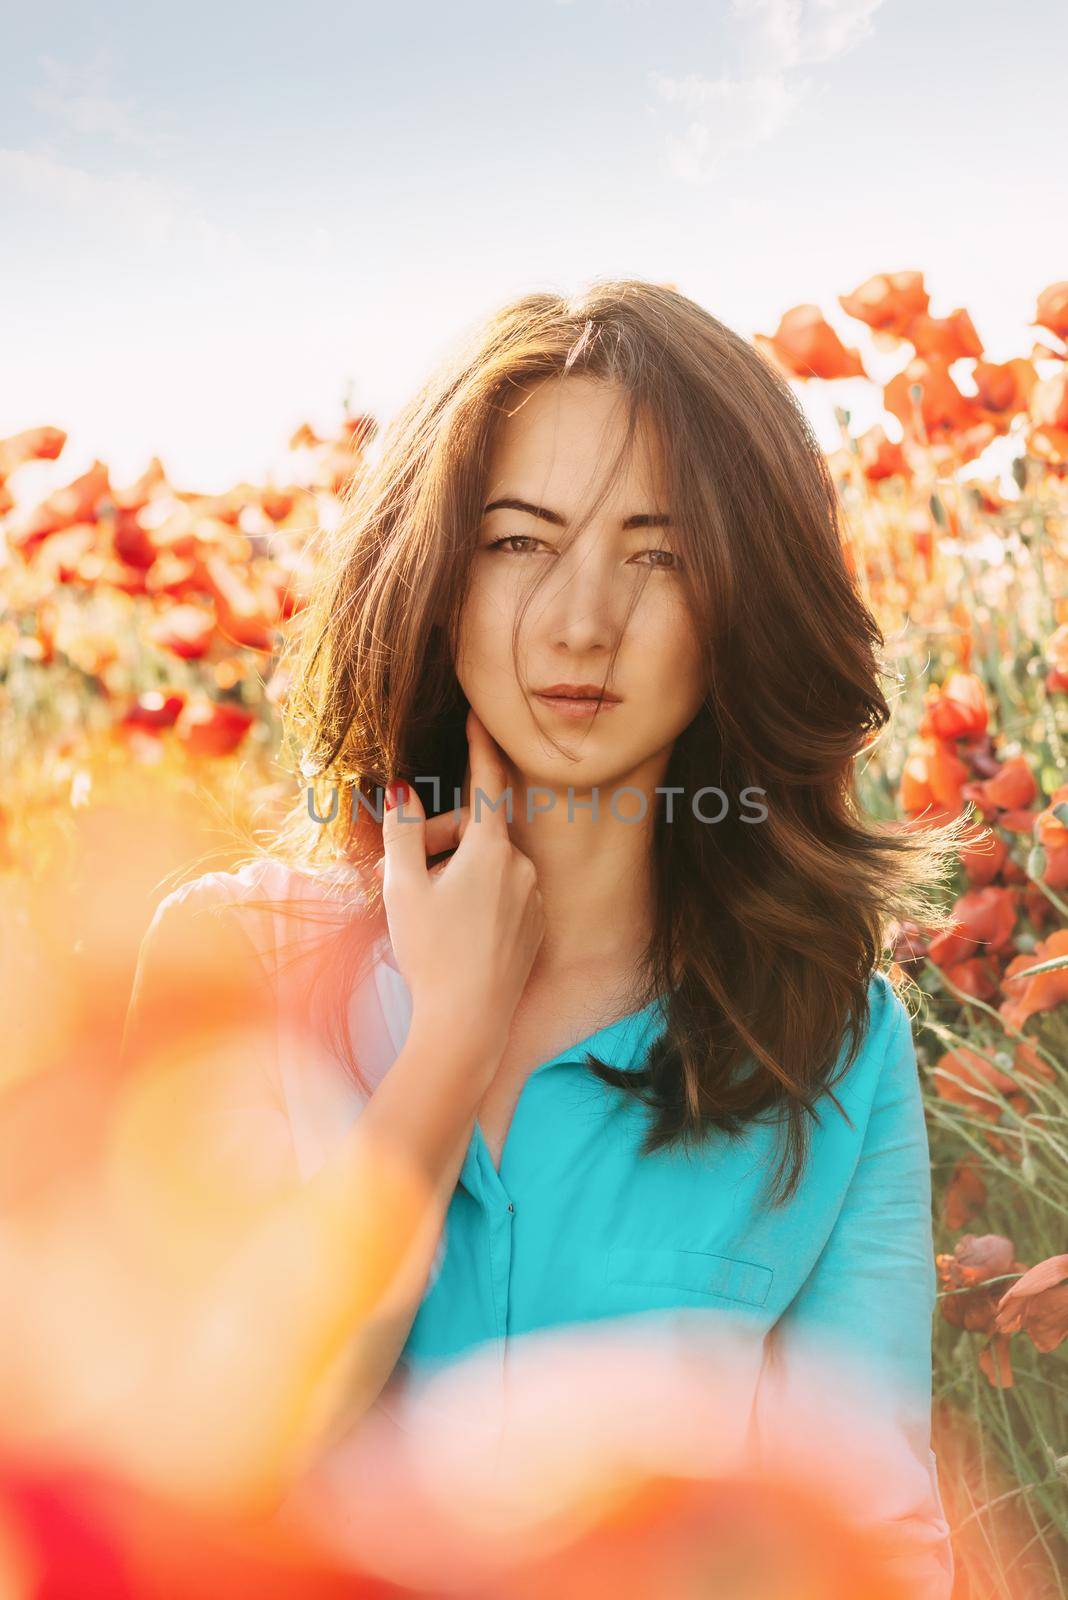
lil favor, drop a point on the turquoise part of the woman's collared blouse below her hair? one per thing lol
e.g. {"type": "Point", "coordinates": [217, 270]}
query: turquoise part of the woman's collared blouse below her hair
{"type": "Point", "coordinates": [580, 1226]}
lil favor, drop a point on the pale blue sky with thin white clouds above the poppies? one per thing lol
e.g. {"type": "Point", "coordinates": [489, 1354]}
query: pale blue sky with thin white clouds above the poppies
{"type": "Point", "coordinates": [223, 220]}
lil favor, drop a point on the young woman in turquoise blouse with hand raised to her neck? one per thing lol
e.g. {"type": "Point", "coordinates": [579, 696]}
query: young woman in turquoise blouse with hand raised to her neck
{"type": "Point", "coordinates": [610, 967]}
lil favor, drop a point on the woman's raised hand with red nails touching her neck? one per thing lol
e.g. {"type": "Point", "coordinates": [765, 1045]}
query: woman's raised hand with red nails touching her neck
{"type": "Point", "coordinates": [464, 934]}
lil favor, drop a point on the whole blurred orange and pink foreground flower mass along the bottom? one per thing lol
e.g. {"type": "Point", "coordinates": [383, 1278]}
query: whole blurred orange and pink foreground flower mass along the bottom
{"type": "Point", "coordinates": [180, 1322]}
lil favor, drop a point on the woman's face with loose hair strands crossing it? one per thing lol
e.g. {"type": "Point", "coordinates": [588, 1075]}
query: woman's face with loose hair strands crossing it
{"type": "Point", "coordinates": [551, 454]}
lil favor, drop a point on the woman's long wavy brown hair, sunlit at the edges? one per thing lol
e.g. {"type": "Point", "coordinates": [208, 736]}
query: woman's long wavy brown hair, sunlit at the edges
{"type": "Point", "coordinates": [767, 937]}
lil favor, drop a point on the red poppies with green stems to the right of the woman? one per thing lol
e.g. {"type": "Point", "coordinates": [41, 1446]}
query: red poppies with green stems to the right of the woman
{"type": "Point", "coordinates": [968, 575]}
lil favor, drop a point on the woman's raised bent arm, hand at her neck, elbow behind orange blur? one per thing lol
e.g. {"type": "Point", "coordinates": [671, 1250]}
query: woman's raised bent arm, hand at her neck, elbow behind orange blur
{"type": "Point", "coordinates": [306, 1322]}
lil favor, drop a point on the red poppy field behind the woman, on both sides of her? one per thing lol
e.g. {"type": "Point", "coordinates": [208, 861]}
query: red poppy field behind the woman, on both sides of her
{"type": "Point", "coordinates": [141, 684]}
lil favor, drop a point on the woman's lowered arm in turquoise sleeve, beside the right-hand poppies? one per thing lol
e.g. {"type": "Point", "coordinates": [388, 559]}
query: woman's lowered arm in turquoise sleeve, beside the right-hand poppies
{"type": "Point", "coordinates": [853, 1351]}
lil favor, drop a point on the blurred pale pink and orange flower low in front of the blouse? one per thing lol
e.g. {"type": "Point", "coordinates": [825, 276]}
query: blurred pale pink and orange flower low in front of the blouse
{"type": "Point", "coordinates": [620, 1460]}
